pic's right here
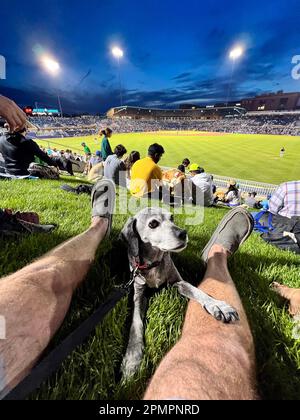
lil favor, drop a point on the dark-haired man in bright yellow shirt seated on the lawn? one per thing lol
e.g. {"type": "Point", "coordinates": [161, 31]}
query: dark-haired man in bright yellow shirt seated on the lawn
{"type": "Point", "coordinates": [146, 175]}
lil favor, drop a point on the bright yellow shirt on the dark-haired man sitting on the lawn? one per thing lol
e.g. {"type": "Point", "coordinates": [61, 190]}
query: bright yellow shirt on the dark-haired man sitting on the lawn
{"type": "Point", "coordinates": [142, 173]}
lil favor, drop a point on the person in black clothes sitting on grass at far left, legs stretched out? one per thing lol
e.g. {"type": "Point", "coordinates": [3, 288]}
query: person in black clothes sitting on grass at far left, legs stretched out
{"type": "Point", "coordinates": [19, 152]}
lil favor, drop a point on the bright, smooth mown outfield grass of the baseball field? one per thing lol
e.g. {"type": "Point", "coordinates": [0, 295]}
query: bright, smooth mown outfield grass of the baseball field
{"type": "Point", "coordinates": [253, 157]}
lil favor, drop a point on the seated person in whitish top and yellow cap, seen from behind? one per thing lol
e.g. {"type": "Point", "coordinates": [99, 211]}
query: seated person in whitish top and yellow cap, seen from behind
{"type": "Point", "coordinates": [202, 186]}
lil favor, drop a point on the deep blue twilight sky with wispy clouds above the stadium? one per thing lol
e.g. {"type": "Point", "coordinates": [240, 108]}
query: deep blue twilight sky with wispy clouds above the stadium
{"type": "Point", "coordinates": [175, 51]}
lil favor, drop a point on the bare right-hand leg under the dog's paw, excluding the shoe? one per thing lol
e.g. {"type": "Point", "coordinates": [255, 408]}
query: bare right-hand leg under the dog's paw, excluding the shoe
{"type": "Point", "coordinates": [212, 360]}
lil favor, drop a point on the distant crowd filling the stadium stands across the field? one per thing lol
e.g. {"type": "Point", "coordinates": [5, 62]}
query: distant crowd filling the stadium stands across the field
{"type": "Point", "coordinates": [90, 125]}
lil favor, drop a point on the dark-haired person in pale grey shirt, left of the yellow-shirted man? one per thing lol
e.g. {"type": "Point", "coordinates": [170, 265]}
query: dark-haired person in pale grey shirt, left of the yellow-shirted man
{"type": "Point", "coordinates": [114, 167]}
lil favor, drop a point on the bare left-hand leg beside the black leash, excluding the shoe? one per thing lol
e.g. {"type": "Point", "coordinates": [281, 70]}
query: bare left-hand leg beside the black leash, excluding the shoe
{"type": "Point", "coordinates": [35, 300]}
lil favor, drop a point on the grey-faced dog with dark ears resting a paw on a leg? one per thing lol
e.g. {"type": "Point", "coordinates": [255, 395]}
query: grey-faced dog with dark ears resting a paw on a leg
{"type": "Point", "coordinates": [151, 236]}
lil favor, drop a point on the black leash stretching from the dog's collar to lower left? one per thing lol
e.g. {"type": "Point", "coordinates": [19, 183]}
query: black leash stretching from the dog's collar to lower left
{"type": "Point", "coordinates": [53, 360]}
